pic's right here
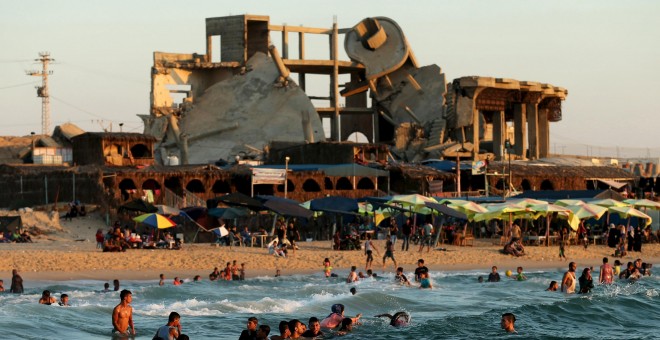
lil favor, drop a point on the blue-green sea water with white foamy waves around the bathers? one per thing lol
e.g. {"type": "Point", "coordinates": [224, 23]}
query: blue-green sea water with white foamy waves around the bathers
{"type": "Point", "coordinates": [458, 307]}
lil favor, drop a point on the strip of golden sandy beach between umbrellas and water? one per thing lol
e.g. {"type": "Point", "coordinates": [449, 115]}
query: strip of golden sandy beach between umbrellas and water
{"type": "Point", "coordinates": [67, 251]}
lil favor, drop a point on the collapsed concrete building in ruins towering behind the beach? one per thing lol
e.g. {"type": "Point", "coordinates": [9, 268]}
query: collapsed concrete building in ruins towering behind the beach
{"type": "Point", "coordinates": [238, 97]}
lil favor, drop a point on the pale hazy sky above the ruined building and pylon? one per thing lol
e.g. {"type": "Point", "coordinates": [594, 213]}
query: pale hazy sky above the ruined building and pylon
{"type": "Point", "coordinates": [606, 53]}
